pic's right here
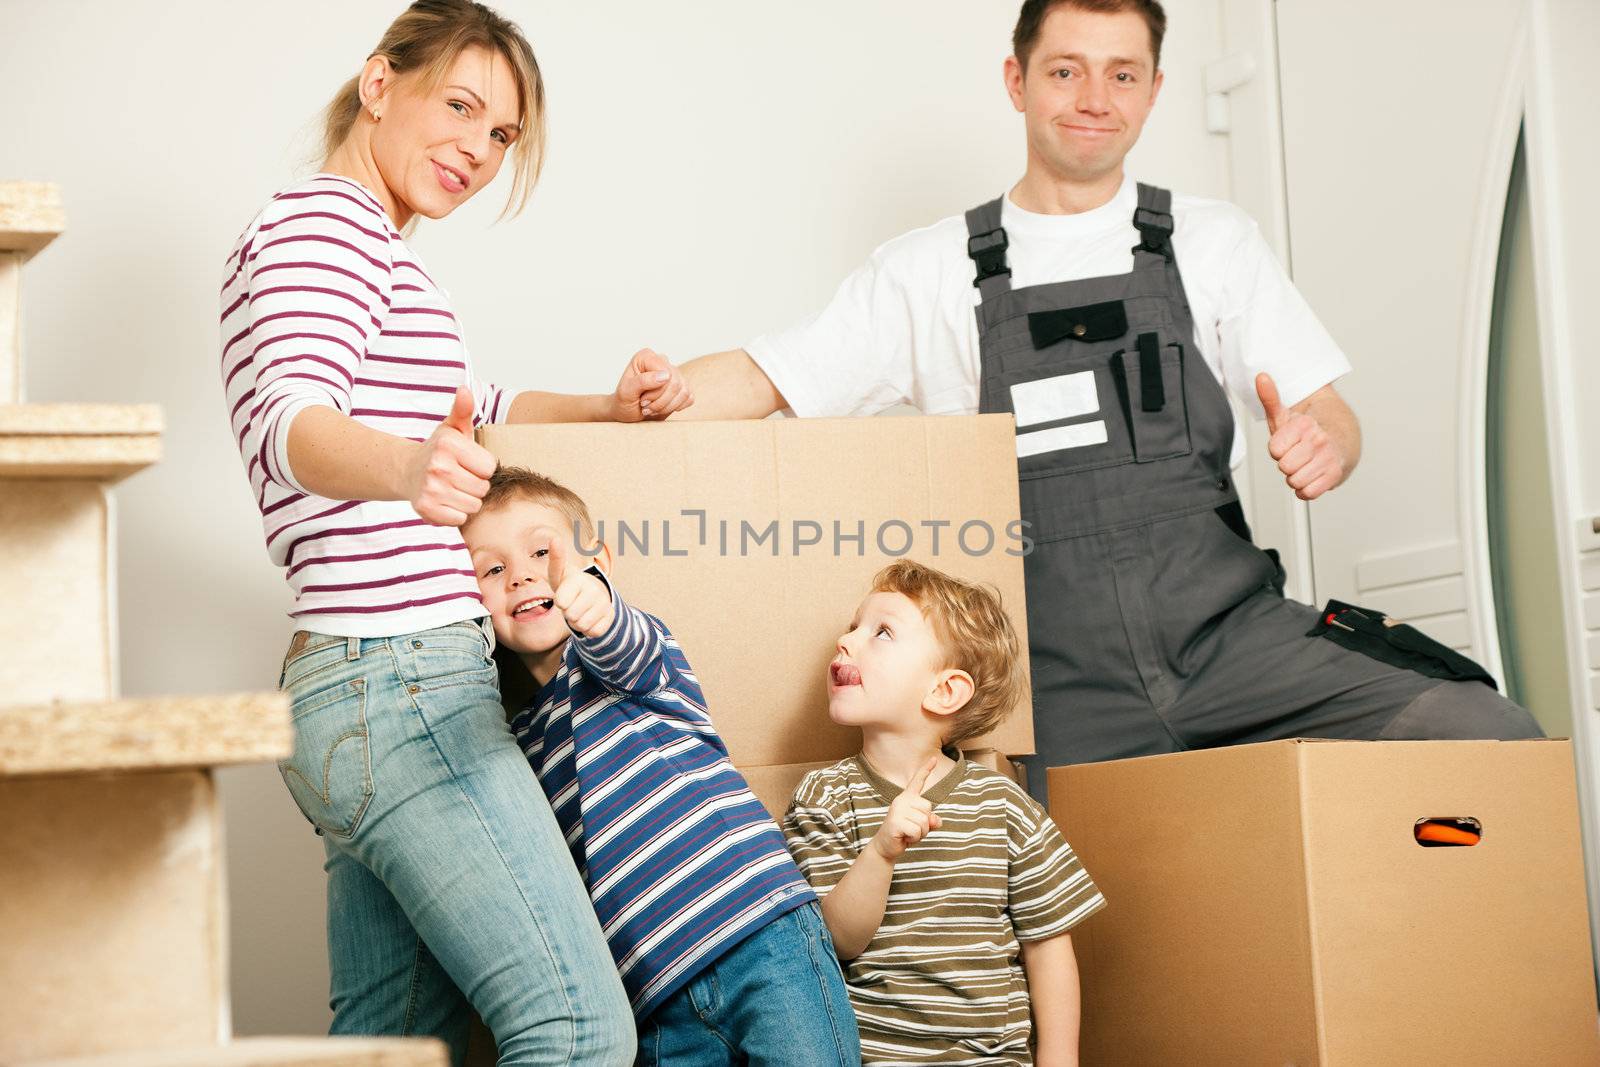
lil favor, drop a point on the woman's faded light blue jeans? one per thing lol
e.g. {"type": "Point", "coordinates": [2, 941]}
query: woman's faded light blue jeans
{"type": "Point", "coordinates": [449, 877]}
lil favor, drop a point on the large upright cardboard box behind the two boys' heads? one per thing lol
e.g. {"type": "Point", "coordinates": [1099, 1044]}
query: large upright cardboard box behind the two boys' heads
{"type": "Point", "coordinates": [756, 541]}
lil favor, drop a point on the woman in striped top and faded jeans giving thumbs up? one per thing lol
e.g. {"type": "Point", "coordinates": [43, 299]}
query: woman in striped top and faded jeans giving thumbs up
{"type": "Point", "coordinates": [353, 401]}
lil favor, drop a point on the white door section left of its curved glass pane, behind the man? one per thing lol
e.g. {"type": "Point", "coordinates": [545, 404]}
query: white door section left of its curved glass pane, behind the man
{"type": "Point", "coordinates": [1394, 217]}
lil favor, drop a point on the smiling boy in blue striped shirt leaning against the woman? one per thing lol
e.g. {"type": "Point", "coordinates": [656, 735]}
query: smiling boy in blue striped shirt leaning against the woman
{"type": "Point", "coordinates": [714, 930]}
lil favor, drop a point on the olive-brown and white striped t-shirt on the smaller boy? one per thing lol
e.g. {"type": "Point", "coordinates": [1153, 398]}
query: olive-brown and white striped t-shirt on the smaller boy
{"type": "Point", "coordinates": [942, 981]}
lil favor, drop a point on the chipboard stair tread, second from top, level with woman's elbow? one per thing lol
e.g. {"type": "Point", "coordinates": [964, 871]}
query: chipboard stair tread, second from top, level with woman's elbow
{"type": "Point", "coordinates": [78, 441]}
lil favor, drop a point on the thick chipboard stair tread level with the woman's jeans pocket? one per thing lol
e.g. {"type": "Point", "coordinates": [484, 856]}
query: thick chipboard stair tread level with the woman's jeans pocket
{"type": "Point", "coordinates": [156, 733]}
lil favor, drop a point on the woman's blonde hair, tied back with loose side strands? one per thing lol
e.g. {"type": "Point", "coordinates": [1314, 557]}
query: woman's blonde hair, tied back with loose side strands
{"type": "Point", "coordinates": [425, 42]}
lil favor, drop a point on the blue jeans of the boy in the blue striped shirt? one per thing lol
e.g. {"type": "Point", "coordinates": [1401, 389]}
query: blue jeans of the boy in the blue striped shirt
{"type": "Point", "coordinates": [775, 999]}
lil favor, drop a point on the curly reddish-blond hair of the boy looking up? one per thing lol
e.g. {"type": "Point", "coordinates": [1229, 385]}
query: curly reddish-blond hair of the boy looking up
{"type": "Point", "coordinates": [977, 636]}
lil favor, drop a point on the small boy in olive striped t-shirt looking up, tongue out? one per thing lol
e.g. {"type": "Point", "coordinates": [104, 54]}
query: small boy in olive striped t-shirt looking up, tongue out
{"type": "Point", "coordinates": [948, 890]}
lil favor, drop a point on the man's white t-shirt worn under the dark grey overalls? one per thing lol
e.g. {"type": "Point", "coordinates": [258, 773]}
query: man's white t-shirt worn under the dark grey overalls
{"type": "Point", "coordinates": [902, 329]}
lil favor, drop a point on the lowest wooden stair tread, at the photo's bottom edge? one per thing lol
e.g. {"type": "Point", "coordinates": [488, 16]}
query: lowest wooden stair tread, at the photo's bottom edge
{"type": "Point", "coordinates": [279, 1052]}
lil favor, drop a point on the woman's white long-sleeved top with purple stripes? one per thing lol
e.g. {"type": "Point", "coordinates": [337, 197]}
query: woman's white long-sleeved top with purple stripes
{"type": "Point", "coordinates": [326, 305]}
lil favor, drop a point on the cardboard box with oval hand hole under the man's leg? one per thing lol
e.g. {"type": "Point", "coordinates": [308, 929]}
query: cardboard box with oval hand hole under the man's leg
{"type": "Point", "coordinates": [1270, 905]}
